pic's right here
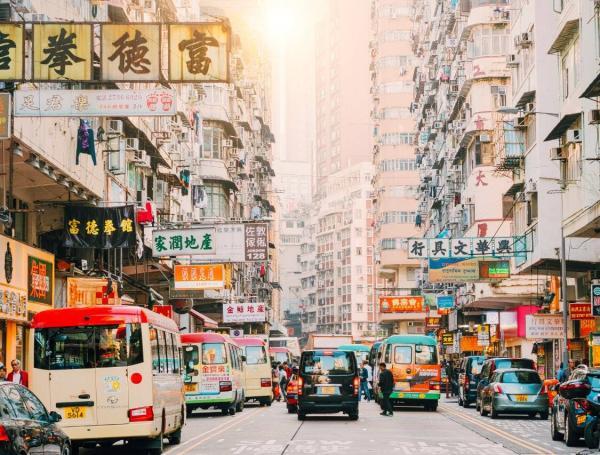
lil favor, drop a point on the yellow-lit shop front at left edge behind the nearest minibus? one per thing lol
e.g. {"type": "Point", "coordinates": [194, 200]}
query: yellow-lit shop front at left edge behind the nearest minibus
{"type": "Point", "coordinates": [26, 288]}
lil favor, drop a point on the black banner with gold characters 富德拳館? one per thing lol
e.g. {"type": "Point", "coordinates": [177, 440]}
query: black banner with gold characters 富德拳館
{"type": "Point", "coordinates": [99, 227]}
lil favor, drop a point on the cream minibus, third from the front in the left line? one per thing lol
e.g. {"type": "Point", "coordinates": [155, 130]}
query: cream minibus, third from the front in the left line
{"type": "Point", "coordinates": [257, 371]}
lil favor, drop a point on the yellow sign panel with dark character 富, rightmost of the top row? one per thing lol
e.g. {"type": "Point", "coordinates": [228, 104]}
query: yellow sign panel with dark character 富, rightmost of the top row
{"type": "Point", "coordinates": [199, 52]}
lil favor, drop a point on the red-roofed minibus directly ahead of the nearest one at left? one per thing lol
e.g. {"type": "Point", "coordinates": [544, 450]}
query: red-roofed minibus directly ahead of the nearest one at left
{"type": "Point", "coordinates": [214, 373]}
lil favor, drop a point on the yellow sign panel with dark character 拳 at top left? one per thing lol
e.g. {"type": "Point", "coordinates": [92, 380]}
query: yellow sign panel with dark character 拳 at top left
{"type": "Point", "coordinates": [62, 52]}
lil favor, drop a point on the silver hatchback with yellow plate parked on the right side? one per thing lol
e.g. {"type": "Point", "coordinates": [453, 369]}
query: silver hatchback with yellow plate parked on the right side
{"type": "Point", "coordinates": [514, 391]}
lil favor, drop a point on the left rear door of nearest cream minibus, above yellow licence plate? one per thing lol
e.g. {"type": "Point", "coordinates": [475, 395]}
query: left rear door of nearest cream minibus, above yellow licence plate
{"type": "Point", "coordinates": [69, 355]}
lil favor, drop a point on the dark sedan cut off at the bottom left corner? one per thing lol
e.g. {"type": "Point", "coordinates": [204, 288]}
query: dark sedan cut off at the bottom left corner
{"type": "Point", "coordinates": [26, 427]}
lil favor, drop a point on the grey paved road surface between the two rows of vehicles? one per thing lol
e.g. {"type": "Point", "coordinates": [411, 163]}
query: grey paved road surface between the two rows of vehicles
{"type": "Point", "coordinates": [451, 430]}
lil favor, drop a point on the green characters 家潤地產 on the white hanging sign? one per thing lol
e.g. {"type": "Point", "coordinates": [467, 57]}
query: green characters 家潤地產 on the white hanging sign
{"type": "Point", "coordinates": [183, 242]}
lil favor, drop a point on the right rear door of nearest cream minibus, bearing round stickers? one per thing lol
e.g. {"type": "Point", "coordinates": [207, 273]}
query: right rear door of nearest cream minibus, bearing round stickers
{"type": "Point", "coordinates": [115, 345]}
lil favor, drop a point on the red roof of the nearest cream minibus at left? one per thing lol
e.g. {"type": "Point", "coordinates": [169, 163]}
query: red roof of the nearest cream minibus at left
{"type": "Point", "coordinates": [100, 315]}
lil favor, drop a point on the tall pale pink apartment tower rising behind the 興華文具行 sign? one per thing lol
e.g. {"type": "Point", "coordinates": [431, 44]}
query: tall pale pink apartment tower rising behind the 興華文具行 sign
{"type": "Point", "coordinates": [393, 63]}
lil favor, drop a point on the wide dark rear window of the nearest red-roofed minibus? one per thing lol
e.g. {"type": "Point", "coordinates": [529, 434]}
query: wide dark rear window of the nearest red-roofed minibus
{"type": "Point", "coordinates": [70, 348]}
